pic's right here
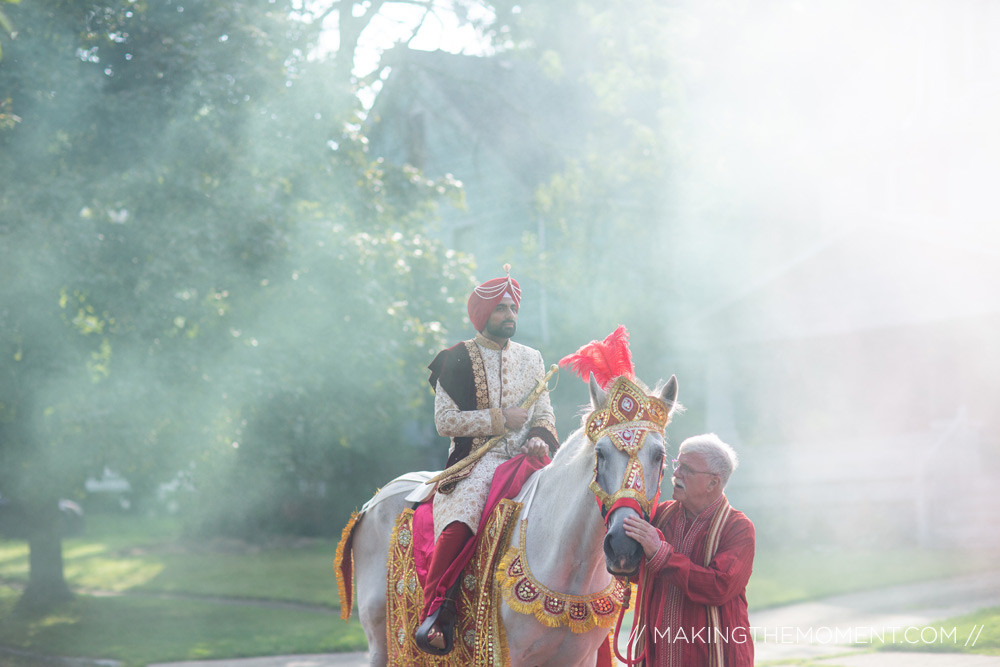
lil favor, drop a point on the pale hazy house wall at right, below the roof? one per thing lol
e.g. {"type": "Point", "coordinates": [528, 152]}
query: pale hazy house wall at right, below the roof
{"type": "Point", "coordinates": [881, 437]}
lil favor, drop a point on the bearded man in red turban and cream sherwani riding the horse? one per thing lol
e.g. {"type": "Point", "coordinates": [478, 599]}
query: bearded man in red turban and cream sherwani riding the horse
{"type": "Point", "coordinates": [479, 385]}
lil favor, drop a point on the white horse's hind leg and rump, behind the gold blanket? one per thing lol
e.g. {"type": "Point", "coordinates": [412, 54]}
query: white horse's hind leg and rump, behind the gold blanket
{"type": "Point", "coordinates": [371, 550]}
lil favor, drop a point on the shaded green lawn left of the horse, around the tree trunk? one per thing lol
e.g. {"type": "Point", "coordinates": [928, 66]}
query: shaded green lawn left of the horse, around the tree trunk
{"type": "Point", "coordinates": [140, 559]}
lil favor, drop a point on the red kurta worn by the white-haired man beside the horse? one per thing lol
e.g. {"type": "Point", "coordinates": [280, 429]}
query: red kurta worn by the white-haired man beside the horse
{"type": "Point", "coordinates": [682, 589]}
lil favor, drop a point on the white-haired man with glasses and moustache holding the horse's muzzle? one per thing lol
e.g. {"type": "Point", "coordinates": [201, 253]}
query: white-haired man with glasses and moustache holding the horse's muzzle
{"type": "Point", "coordinates": [699, 554]}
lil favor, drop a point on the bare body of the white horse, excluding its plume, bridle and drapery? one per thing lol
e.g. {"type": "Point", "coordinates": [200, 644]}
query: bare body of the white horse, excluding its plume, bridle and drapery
{"type": "Point", "coordinates": [569, 547]}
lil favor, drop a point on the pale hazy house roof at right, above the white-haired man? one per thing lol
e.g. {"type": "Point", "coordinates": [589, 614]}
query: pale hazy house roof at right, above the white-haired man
{"type": "Point", "coordinates": [858, 281]}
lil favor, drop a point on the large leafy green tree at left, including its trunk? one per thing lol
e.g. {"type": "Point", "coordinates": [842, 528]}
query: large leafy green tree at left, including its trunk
{"type": "Point", "coordinates": [204, 278]}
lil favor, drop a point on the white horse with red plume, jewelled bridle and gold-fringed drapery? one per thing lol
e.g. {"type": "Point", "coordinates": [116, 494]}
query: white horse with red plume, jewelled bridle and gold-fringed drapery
{"type": "Point", "coordinates": [518, 604]}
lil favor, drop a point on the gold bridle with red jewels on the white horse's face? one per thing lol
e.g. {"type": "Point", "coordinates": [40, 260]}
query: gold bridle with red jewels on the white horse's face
{"type": "Point", "coordinates": [627, 420]}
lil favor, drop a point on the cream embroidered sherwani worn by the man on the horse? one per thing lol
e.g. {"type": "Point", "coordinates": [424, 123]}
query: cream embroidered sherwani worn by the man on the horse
{"type": "Point", "coordinates": [510, 373]}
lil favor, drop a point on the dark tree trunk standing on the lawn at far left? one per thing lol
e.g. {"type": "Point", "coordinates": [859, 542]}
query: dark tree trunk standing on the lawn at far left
{"type": "Point", "coordinates": [46, 582]}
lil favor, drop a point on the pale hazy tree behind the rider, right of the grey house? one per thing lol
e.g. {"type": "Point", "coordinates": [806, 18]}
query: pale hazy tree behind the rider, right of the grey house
{"type": "Point", "coordinates": [643, 199]}
